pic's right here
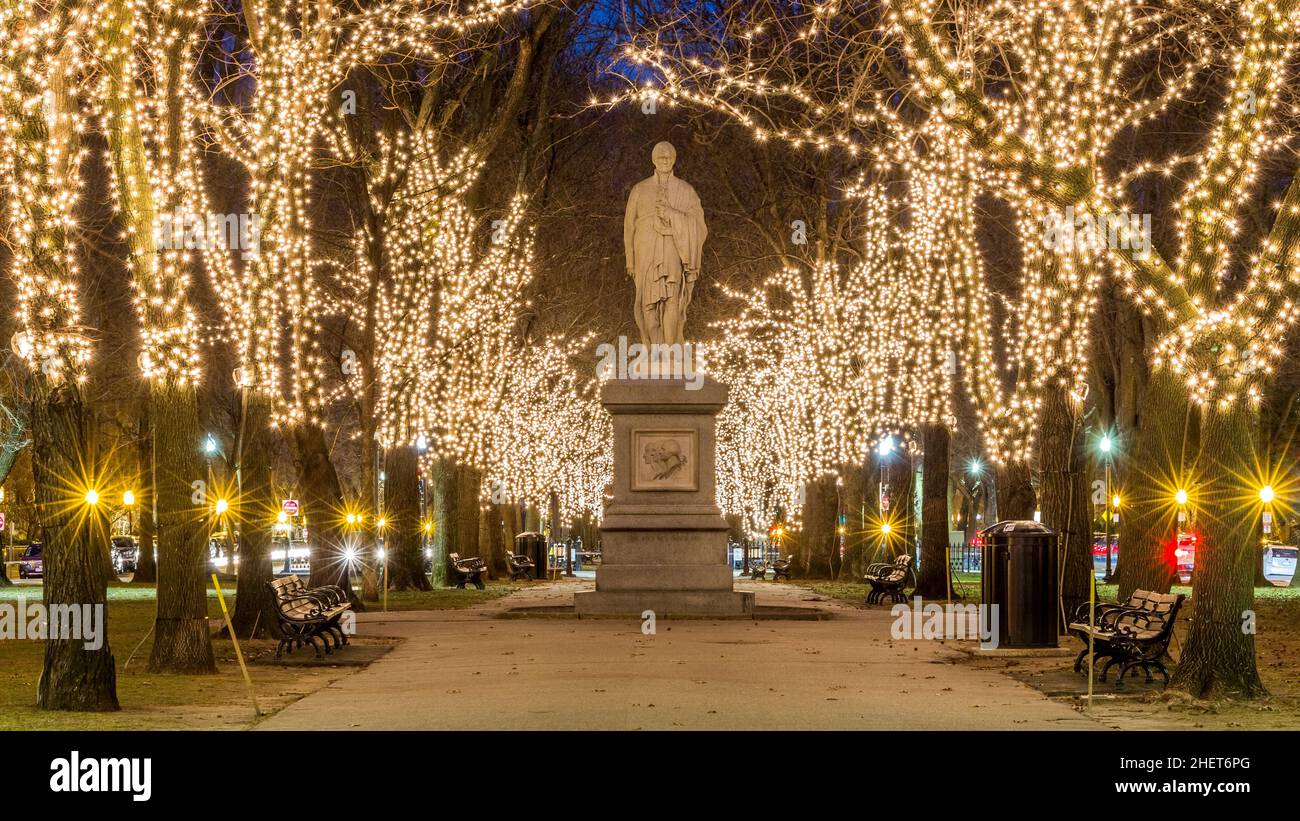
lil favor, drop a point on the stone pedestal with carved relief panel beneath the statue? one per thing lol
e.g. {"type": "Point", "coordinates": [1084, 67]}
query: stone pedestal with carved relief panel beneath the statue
{"type": "Point", "coordinates": [664, 541]}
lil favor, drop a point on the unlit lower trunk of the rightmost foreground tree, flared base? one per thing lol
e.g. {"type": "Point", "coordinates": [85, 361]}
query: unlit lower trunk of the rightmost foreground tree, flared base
{"type": "Point", "coordinates": [1219, 658]}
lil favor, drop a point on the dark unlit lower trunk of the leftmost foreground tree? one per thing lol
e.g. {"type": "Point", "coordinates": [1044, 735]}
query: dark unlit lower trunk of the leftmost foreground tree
{"type": "Point", "coordinates": [73, 677]}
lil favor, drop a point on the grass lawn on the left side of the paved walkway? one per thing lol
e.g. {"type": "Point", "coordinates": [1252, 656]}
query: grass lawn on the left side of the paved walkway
{"type": "Point", "coordinates": [181, 702]}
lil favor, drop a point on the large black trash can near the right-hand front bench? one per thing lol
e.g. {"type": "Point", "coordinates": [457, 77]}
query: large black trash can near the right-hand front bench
{"type": "Point", "coordinates": [1020, 576]}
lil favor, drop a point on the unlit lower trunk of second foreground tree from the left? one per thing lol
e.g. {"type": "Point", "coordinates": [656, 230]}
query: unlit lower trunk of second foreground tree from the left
{"type": "Point", "coordinates": [181, 638]}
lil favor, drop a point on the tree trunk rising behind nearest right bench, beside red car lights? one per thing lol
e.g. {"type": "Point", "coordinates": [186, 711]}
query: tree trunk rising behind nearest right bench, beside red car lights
{"type": "Point", "coordinates": [1149, 524]}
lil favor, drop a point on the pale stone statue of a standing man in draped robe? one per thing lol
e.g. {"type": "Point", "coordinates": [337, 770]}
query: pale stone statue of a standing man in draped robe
{"type": "Point", "coordinates": [664, 238]}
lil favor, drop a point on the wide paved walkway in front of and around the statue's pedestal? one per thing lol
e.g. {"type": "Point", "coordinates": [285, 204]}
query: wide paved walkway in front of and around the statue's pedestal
{"type": "Point", "coordinates": [467, 670]}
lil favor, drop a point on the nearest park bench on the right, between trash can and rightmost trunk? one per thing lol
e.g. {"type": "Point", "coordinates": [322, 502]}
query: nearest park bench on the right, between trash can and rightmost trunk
{"type": "Point", "coordinates": [1134, 635]}
